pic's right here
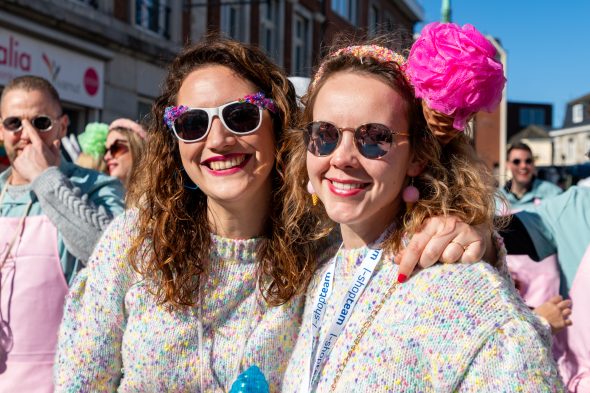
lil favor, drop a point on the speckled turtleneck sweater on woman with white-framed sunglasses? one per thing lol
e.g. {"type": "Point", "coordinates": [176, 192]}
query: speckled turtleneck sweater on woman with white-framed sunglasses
{"type": "Point", "coordinates": [114, 337]}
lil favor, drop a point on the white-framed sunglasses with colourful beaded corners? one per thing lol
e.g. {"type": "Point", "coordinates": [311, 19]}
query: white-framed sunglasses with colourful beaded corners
{"type": "Point", "coordinates": [241, 117]}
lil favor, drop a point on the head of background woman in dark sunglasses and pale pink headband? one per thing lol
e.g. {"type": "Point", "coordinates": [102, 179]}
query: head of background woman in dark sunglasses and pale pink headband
{"type": "Point", "coordinates": [124, 146]}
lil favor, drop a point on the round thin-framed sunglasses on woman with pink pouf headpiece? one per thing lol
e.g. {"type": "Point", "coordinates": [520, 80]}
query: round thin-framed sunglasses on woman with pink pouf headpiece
{"type": "Point", "coordinates": [373, 140]}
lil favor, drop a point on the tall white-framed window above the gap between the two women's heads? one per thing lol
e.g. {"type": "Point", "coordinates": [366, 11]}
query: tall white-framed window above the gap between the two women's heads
{"type": "Point", "coordinates": [305, 43]}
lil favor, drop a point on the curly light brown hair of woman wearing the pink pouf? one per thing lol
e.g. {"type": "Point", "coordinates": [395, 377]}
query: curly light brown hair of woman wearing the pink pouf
{"type": "Point", "coordinates": [454, 180]}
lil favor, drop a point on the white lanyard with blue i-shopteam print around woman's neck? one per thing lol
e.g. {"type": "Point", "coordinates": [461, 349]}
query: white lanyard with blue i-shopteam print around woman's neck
{"type": "Point", "coordinates": [361, 278]}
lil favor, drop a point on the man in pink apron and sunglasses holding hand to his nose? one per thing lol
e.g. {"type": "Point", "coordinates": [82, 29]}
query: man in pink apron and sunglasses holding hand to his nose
{"type": "Point", "coordinates": [52, 213]}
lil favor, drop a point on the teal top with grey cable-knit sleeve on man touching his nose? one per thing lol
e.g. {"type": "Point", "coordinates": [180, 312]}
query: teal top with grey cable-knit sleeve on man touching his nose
{"type": "Point", "coordinates": [80, 203]}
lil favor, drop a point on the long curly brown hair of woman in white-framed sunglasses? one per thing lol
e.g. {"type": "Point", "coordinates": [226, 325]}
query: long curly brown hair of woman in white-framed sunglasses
{"type": "Point", "coordinates": [174, 236]}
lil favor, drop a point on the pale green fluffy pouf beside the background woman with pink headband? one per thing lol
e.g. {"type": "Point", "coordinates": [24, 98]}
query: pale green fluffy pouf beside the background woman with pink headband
{"type": "Point", "coordinates": [92, 147]}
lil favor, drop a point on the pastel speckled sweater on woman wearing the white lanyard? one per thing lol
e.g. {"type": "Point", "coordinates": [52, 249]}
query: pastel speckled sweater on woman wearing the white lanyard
{"type": "Point", "coordinates": [459, 327]}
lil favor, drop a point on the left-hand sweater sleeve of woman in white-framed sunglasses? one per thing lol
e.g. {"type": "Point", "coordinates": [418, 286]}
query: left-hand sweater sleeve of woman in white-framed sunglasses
{"type": "Point", "coordinates": [89, 348]}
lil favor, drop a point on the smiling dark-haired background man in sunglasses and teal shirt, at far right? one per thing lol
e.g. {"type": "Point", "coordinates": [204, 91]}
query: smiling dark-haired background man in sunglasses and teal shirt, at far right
{"type": "Point", "coordinates": [524, 189]}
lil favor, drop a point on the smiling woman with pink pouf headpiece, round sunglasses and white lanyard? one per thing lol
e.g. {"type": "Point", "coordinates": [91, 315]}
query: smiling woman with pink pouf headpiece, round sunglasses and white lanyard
{"type": "Point", "coordinates": [377, 132]}
